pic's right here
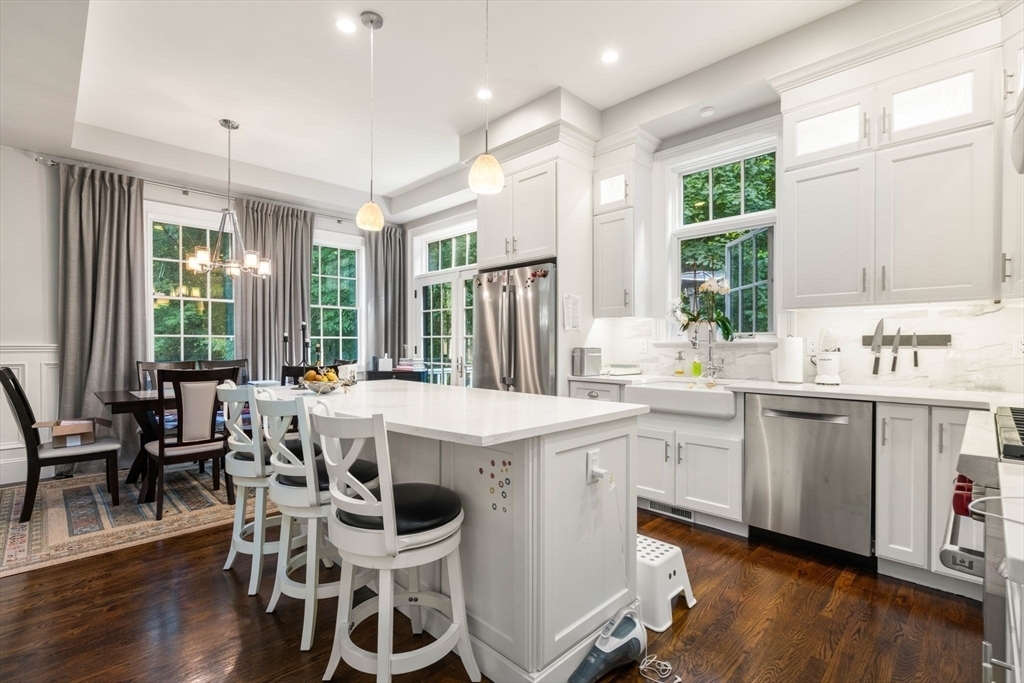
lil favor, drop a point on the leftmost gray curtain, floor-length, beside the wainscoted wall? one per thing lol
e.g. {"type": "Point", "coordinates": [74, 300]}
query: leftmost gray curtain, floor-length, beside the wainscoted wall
{"type": "Point", "coordinates": [102, 295]}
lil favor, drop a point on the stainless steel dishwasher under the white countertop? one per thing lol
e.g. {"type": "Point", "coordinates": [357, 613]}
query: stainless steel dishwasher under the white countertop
{"type": "Point", "coordinates": [808, 469]}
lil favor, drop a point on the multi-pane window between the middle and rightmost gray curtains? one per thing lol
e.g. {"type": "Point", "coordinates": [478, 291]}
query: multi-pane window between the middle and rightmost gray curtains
{"type": "Point", "coordinates": [334, 311]}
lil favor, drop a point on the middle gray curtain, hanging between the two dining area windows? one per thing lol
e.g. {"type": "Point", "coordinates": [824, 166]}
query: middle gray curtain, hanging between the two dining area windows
{"type": "Point", "coordinates": [269, 309]}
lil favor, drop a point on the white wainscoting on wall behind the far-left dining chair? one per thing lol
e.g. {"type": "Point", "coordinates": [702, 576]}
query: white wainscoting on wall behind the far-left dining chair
{"type": "Point", "coordinates": [37, 369]}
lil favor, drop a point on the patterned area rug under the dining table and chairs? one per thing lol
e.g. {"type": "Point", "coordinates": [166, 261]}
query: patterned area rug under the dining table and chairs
{"type": "Point", "coordinates": [73, 519]}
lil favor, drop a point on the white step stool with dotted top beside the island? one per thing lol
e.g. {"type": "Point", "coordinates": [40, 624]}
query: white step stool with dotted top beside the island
{"type": "Point", "coordinates": [661, 577]}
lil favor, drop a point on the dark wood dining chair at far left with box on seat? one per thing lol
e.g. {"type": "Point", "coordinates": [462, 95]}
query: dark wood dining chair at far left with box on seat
{"type": "Point", "coordinates": [45, 455]}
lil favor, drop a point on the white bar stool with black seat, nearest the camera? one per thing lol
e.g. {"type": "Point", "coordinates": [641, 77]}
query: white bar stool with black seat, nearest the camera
{"type": "Point", "coordinates": [408, 527]}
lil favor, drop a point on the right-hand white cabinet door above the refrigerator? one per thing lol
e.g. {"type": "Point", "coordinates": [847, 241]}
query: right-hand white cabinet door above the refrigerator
{"type": "Point", "coordinates": [534, 214]}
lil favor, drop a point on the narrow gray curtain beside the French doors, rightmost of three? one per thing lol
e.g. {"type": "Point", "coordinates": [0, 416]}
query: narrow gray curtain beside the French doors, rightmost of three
{"type": "Point", "coordinates": [387, 284]}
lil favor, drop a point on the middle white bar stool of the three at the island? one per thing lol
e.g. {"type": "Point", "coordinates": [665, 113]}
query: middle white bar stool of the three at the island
{"type": "Point", "coordinates": [300, 488]}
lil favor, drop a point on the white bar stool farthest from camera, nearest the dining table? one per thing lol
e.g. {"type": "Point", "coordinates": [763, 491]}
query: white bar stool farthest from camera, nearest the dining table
{"type": "Point", "coordinates": [247, 472]}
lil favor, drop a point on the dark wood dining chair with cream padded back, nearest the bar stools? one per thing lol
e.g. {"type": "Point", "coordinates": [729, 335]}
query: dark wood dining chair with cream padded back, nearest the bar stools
{"type": "Point", "coordinates": [198, 439]}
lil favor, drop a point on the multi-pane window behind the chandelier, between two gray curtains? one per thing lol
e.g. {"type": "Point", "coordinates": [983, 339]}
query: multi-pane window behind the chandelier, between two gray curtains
{"type": "Point", "coordinates": [193, 313]}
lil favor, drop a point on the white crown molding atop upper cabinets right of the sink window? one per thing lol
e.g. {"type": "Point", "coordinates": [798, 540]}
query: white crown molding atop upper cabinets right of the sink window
{"type": "Point", "coordinates": [898, 41]}
